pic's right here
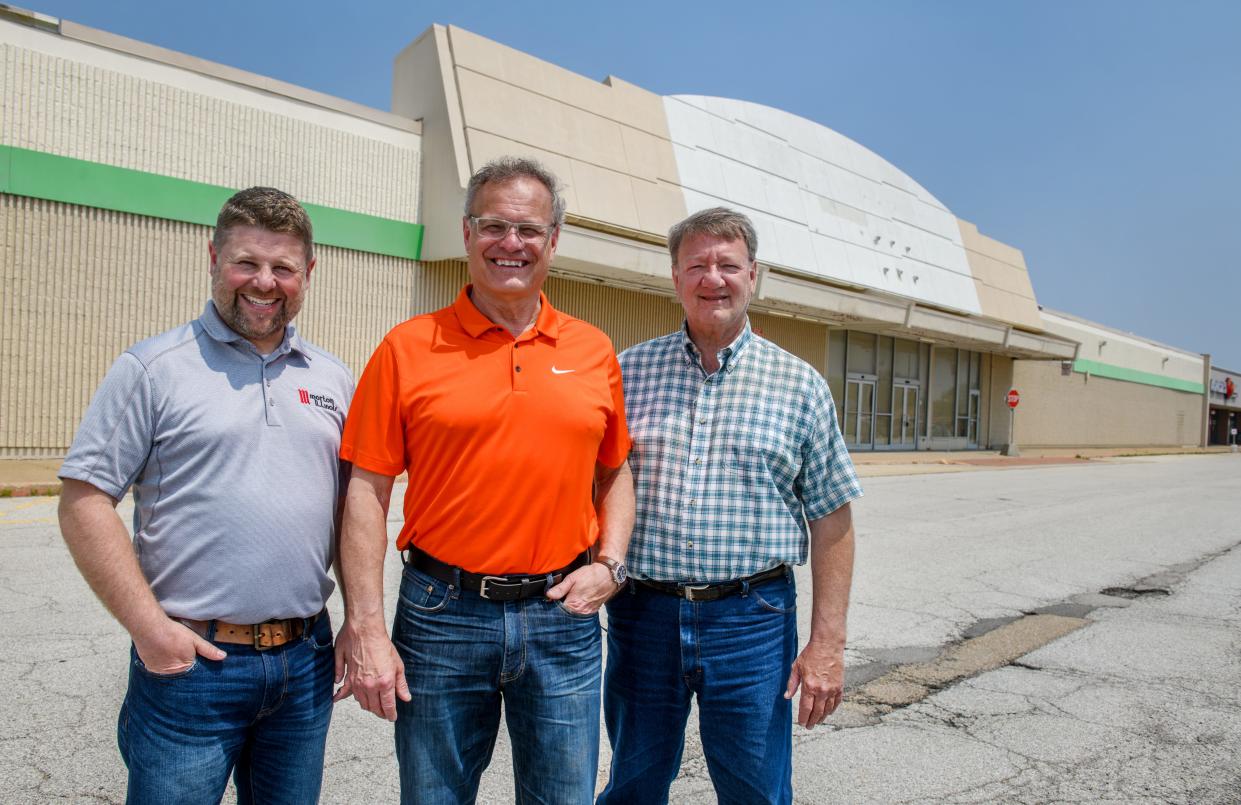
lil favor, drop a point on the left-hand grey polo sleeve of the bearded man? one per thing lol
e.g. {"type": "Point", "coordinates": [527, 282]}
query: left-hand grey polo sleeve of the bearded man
{"type": "Point", "coordinates": [117, 432]}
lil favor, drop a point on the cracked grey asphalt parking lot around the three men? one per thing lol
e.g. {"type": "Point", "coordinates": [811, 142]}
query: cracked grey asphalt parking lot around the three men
{"type": "Point", "coordinates": [959, 689]}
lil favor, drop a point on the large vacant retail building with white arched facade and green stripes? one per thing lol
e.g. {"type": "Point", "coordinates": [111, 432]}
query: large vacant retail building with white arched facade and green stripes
{"type": "Point", "coordinates": [116, 157]}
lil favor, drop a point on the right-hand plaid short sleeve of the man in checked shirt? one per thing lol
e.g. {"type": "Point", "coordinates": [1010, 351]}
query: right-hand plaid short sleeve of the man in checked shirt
{"type": "Point", "coordinates": [827, 481]}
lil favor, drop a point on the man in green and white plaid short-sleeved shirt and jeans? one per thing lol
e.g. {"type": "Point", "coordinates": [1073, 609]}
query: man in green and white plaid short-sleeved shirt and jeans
{"type": "Point", "coordinates": [740, 473]}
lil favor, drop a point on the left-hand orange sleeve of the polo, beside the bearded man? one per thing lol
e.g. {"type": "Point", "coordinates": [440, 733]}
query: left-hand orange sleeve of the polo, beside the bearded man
{"type": "Point", "coordinates": [374, 437]}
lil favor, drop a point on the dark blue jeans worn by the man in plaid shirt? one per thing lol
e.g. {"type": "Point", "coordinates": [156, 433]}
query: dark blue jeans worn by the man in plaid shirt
{"type": "Point", "coordinates": [735, 656]}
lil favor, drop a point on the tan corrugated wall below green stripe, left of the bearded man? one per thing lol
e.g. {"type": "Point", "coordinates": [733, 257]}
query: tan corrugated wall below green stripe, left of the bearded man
{"type": "Point", "coordinates": [80, 286]}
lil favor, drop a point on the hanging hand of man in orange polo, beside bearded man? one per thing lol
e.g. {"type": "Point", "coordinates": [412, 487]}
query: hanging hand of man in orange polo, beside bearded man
{"type": "Point", "coordinates": [370, 670]}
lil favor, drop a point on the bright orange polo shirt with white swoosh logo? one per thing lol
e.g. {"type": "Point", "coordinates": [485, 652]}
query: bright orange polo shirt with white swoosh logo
{"type": "Point", "coordinates": [500, 435]}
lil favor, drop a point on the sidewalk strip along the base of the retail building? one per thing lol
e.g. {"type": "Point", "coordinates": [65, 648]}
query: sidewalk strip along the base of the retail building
{"type": "Point", "coordinates": [20, 478]}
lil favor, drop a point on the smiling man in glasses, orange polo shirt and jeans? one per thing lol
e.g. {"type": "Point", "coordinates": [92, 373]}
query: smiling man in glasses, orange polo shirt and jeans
{"type": "Point", "coordinates": [508, 417]}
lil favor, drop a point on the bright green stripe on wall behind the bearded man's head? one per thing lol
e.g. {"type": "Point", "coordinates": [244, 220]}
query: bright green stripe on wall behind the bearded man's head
{"type": "Point", "coordinates": [42, 176]}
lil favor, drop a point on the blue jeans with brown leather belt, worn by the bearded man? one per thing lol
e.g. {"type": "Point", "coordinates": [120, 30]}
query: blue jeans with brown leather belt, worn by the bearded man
{"type": "Point", "coordinates": [259, 715]}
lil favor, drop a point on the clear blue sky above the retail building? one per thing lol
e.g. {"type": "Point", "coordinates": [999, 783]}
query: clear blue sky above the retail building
{"type": "Point", "coordinates": [1103, 137]}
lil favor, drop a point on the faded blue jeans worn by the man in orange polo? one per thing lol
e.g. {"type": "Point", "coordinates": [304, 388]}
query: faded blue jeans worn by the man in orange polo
{"type": "Point", "coordinates": [464, 656]}
